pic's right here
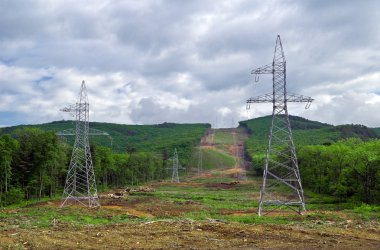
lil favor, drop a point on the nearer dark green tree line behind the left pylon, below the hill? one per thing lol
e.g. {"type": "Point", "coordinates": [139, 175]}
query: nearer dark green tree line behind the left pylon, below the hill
{"type": "Point", "coordinates": [33, 164]}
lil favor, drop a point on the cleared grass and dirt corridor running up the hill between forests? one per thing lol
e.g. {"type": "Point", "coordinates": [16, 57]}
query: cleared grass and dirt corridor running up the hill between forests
{"type": "Point", "coordinates": [212, 210]}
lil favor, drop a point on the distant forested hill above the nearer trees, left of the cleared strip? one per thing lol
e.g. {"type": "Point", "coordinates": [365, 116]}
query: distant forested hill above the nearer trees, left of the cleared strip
{"type": "Point", "coordinates": [141, 138]}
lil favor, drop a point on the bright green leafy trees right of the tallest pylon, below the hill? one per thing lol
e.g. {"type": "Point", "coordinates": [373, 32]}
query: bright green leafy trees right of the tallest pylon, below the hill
{"type": "Point", "coordinates": [348, 169]}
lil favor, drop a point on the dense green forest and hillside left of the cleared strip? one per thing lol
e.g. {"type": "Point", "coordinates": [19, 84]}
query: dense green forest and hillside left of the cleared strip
{"type": "Point", "coordinates": [34, 160]}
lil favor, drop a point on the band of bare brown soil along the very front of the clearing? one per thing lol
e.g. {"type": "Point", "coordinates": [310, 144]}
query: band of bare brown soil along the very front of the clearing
{"type": "Point", "coordinates": [168, 234]}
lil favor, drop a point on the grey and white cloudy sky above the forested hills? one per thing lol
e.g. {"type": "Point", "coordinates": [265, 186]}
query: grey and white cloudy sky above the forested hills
{"type": "Point", "coordinates": [151, 61]}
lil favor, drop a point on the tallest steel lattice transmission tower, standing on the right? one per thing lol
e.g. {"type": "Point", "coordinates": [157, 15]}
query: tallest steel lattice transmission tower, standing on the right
{"type": "Point", "coordinates": [281, 178]}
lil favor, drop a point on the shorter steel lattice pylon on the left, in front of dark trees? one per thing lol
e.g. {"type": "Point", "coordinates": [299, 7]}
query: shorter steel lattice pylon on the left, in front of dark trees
{"type": "Point", "coordinates": [80, 185]}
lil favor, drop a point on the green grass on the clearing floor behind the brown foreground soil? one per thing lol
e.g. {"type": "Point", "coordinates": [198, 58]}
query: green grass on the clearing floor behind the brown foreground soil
{"type": "Point", "coordinates": [239, 202]}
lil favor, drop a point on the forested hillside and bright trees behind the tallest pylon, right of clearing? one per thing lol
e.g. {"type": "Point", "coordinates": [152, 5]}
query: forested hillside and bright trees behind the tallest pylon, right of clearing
{"type": "Point", "coordinates": [342, 161]}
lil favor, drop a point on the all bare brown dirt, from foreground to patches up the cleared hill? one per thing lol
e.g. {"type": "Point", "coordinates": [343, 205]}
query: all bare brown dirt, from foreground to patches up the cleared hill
{"type": "Point", "coordinates": [159, 223]}
